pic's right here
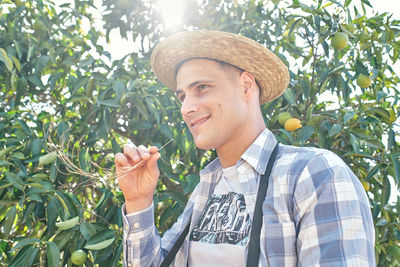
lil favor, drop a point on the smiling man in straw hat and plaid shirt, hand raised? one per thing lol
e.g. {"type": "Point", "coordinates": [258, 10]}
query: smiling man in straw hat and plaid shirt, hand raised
{"type": "Point", "coordinates": [315, 212]}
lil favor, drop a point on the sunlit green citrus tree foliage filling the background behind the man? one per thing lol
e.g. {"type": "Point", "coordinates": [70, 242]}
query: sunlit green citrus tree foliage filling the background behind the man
{"type": "Point", "coordinates": [52, 72]}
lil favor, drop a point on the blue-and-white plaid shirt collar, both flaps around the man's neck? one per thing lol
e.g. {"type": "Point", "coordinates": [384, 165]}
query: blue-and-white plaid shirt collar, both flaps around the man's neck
{"type": "Point", "coordinates": [256, 155]}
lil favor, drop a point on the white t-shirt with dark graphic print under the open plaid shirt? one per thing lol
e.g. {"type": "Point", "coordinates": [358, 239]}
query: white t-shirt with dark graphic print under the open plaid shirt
{"type": "Point", "coordinates": [220, 236]}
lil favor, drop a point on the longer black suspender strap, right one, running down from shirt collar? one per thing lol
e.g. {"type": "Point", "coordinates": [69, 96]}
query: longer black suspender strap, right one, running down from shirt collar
{"type": "Point", "coordinates": [253, 253]}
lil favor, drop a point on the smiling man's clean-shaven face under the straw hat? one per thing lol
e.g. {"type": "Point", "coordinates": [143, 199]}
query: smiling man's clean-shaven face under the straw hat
{"type": "Point", "coordinates": [213, 105]}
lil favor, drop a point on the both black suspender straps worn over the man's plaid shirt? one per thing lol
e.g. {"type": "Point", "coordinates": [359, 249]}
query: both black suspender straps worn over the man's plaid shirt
{"type": "Point", "coordinates": [254, 242]}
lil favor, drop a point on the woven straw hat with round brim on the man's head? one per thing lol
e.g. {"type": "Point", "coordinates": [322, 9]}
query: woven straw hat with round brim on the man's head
{"type": "Point", "coordinates": [269, 71]}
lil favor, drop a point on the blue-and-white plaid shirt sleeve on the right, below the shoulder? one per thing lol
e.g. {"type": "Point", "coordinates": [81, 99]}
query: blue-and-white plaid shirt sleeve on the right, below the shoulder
{"type": "Point", "coordinates": [333, 216]}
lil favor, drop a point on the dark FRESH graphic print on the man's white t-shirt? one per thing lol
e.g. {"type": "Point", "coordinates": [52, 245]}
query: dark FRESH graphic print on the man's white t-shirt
{"type": "Point", "coordinates": [224, 220]}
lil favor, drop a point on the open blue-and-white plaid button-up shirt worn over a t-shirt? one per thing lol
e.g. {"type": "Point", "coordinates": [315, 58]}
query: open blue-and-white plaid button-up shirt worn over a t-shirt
{"type": "Point", "coordinates": [316, 212]}
